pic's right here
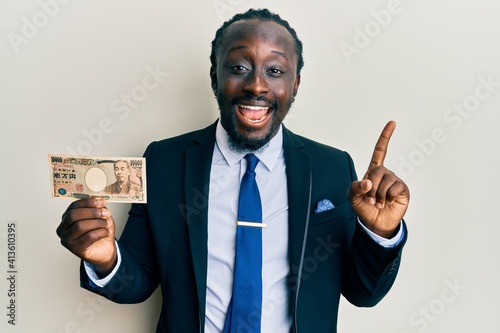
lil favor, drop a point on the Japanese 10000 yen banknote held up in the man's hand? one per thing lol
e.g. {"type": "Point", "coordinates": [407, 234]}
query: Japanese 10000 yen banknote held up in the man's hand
{"type": "Point", "coordinates": [117, 179]}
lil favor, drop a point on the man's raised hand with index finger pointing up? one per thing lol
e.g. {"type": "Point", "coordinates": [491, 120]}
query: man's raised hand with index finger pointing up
{"type": "Point", "coordinates": [380, 199]}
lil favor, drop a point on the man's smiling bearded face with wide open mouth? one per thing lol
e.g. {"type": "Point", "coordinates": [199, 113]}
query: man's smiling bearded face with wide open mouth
{"type": "Point", "coordinates": [255, 80]}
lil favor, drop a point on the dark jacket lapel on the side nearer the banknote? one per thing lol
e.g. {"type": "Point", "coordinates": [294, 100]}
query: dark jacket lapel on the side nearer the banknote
{"type": "Point", "coordinates": [197, 181]}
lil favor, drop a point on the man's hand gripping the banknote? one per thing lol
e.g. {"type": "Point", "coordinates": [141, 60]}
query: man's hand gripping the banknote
{"type": "Point", "coordinates": [87, 229]}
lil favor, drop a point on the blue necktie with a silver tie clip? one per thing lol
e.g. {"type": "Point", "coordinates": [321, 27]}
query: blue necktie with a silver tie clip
{"type": "Point", "coordinates": [245, 308]}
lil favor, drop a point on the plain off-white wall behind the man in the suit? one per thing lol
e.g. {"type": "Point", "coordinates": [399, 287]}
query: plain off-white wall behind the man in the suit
{"type": "Point", "coordinates": [67, 67]}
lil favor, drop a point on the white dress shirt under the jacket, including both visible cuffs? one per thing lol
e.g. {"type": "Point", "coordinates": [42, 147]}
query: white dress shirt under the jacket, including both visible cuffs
{"type": "Point", "coordinates": [227, 170]}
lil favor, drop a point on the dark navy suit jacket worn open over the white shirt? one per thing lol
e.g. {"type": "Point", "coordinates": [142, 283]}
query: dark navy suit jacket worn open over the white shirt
{"type": "Point", "coordinates": [165, 241]}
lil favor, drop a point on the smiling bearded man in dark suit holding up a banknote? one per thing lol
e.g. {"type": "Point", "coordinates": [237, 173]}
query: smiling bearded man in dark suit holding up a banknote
{"type": "Point", "coordinates": [186, 240]}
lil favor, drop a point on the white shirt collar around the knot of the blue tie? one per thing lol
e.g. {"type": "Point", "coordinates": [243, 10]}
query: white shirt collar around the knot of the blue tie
{"type": "Point", "coordinates": [267, 156]}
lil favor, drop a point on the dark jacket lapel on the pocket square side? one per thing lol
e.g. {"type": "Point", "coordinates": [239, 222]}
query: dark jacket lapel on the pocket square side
{"type": "Point", "coordinates": [298, 173]}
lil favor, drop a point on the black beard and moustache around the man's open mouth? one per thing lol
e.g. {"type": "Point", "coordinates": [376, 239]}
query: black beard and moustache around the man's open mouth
{"type": "Point", "coordinates": [240, 143]}
